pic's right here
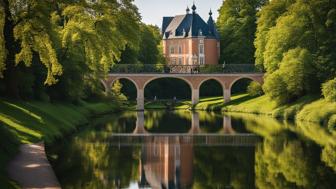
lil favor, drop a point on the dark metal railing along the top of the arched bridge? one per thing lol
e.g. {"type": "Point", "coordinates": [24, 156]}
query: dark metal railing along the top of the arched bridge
{"type": "Point", "coordinates": [179, 69]}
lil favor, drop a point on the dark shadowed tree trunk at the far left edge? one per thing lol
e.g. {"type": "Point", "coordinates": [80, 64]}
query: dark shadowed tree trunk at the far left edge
{"type": "Point", "coordinates": [11, 72]}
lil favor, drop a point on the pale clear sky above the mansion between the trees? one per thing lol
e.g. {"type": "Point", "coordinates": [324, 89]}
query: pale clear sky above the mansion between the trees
{"type": "Point", "coordinates": [152, 11]}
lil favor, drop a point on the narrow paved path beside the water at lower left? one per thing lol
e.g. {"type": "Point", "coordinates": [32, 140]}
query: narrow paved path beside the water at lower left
{"type": "Point", "coordinates": [31, 168]}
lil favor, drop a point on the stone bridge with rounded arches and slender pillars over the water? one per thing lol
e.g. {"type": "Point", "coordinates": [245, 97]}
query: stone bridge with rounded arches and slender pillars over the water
{"type": "Point", "coordinates": [141, 80]}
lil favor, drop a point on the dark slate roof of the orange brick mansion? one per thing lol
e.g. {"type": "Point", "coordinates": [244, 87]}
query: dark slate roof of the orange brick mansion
{"type": "Point", "coordinates": [188, 25]}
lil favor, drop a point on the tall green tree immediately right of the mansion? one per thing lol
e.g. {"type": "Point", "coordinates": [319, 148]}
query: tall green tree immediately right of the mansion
{"type": "Point", "coordinates": [237, 26]}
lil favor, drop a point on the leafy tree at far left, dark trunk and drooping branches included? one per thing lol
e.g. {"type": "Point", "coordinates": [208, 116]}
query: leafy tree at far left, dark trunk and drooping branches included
{"type": "Point", "coordinates": [26, 30]}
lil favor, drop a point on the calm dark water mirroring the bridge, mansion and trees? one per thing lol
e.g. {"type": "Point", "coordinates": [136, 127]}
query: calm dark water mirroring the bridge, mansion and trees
{"type": "Point", "coordinates": [160, 149]}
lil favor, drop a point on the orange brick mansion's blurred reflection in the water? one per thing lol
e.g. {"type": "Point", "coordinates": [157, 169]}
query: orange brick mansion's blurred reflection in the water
{"type": "Point", "coordinates": [166, 162]}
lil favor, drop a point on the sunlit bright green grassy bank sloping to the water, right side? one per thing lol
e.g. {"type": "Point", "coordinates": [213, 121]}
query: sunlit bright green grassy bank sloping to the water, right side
{"type": "Point", "coordinates": [307, 108]}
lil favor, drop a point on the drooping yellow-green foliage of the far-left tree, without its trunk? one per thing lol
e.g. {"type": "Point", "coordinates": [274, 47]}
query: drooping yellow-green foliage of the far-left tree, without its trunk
{"type": "Point", "coordinates": [32, 31]}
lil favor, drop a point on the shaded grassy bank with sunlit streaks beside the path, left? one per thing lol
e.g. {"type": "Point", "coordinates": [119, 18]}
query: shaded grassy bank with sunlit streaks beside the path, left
{"type": "Point", "coordinates": [30, 122]}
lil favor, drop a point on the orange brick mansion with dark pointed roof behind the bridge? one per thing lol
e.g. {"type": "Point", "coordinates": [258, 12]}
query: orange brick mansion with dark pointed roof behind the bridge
{"type": "Point", "coordinates": [189, 40]}
